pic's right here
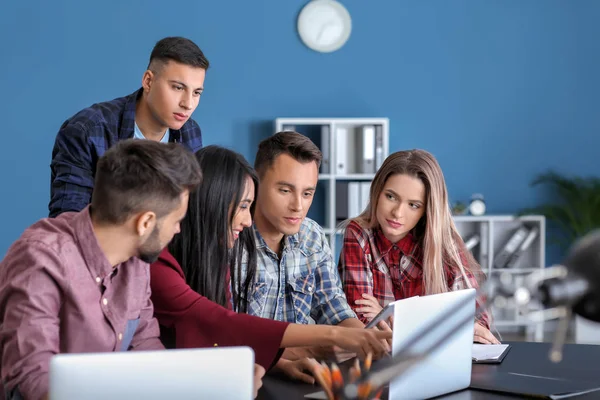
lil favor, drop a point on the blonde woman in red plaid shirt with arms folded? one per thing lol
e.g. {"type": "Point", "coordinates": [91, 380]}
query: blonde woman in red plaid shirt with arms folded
{"type": "Point", "coordinates": [405, 242]}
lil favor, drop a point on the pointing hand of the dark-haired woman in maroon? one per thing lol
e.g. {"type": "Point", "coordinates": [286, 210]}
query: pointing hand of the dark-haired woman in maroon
{"type": "Point", "coordinates": [363, 341]}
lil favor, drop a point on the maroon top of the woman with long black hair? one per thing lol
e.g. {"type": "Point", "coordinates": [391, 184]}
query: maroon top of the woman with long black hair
{"type": "Point", "coordinates": [195, 321]}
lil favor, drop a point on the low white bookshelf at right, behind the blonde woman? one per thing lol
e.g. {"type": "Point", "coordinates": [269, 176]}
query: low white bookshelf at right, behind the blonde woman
{"type": "Point", "coordinates": [494, 232]}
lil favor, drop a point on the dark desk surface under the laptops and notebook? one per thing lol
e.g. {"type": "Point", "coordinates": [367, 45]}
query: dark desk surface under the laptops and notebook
{"type": "Point", "coordinates": [581, 362]}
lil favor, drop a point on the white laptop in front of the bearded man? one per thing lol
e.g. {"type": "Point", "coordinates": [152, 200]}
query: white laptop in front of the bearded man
{"type": "Point", "coordinates": [215, 373]}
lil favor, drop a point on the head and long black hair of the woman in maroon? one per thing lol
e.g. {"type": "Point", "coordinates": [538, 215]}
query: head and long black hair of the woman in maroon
{"type": "Point", "coordinates": [208, 249]}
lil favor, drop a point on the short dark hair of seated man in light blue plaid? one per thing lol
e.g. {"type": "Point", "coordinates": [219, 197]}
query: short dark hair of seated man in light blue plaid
{"type": "Point", "coordinates": [294, 144]}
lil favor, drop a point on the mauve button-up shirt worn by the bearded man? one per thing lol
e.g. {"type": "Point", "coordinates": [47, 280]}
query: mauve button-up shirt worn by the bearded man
{"type": "Point", "coordinates": [59, 294]}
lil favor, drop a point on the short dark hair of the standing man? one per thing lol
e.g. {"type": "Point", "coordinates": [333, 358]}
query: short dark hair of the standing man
{"type": "Point", "coordinates": [180, 50]}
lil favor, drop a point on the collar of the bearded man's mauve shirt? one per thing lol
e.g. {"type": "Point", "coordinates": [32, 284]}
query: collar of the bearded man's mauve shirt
{"type": "Point", "coordinates": [95, 258]}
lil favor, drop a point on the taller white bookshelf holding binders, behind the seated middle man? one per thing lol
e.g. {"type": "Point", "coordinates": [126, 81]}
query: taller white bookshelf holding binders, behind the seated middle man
{"type": "Point", "coordinates": [350, 127]}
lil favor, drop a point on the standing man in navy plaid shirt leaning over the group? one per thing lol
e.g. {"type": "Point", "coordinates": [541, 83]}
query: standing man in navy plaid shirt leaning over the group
{"type": "Point", "coordinates": [160, 111]}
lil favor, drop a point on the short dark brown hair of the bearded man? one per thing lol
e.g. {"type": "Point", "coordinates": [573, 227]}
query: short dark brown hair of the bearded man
{"type": "Point", "coordinates": [139, 175]}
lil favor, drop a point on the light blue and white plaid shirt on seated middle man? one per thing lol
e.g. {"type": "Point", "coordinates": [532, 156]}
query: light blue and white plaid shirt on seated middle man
{"type": "Point", "coordinates": [301, 285]}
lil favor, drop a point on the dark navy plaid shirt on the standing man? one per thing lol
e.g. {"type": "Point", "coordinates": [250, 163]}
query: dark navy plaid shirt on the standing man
{"type": "Point", "coordinates": [84, 138]}
